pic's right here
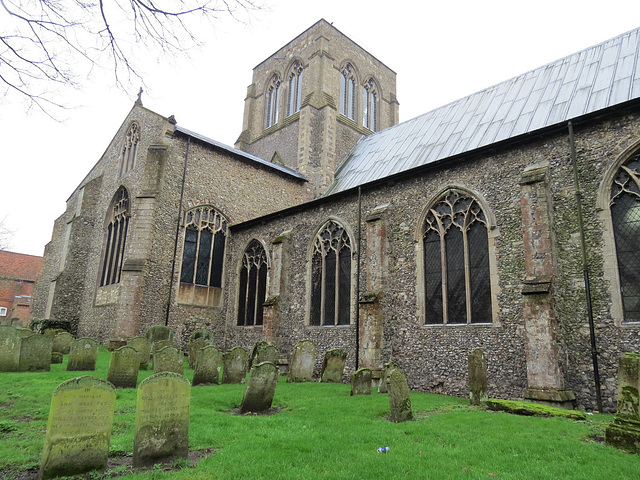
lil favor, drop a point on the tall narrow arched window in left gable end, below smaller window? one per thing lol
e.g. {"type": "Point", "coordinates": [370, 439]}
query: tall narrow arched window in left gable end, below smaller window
{"type": "Point", "coordinates": [116, 238]}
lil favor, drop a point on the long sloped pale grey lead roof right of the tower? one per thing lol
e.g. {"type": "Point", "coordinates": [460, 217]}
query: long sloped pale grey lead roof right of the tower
{"type": "Point", "coordinates": [585, 82]}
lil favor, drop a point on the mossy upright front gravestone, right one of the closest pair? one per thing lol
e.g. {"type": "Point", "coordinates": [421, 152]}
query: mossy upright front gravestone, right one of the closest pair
{"type": "Point", "coordinates": [162, 419]}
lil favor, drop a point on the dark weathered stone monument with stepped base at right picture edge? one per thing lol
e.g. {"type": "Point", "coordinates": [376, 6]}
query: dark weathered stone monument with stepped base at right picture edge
{"type": "Point", "coordinates": [624, 431]}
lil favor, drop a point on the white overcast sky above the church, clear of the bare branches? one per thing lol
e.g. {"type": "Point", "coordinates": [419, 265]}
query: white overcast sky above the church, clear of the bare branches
{"type": "Point", "coordinates": [441, 51]}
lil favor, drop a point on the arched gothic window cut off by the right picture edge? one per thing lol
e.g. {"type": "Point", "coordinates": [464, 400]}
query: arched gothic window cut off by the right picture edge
{"type": "Point", "coordinates": [625, 216]}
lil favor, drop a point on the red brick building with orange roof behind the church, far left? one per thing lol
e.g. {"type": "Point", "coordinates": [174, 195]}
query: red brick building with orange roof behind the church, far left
{"type": "Point", "coordinates": [18, 274]}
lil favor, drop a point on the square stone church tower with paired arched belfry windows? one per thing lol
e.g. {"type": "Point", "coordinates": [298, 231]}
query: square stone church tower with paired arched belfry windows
{"type": "Point", "coordinates": [312, 100]}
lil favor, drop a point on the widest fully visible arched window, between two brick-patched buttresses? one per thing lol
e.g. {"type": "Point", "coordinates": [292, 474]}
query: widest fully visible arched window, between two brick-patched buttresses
{"type": "Point", "coordinates": [456, 261]}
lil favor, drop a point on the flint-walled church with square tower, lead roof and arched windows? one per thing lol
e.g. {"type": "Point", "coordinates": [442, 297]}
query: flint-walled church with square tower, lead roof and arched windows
{"type": "Point", "coordinates": [508, 220]}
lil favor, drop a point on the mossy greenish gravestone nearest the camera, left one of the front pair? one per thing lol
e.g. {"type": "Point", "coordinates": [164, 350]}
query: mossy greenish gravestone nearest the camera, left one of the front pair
{"type": "Point", "coordinates": [79, 427]}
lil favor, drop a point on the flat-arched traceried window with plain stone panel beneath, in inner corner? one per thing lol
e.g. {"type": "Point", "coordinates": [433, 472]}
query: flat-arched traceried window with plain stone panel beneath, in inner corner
{"type": "Point", "coordinates": [204, 242]}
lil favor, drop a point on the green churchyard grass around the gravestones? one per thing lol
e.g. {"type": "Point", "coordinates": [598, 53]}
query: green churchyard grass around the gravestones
{"type": "Point", "coordinates": [322, 432]}
